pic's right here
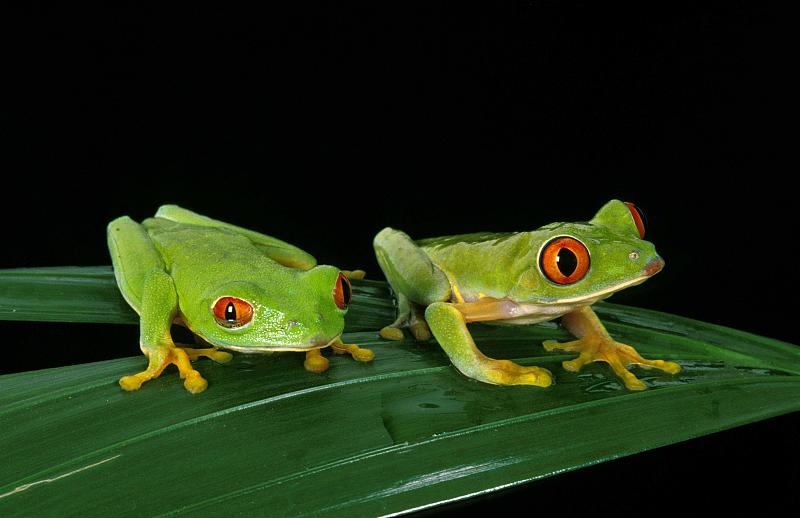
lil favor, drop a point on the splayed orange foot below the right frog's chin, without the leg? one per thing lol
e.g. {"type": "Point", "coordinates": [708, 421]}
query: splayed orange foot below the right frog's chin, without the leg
{"type": "Point", "coordinates": [619, 356]}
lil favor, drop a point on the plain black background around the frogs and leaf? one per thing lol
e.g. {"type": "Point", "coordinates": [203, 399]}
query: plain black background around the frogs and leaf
{"type": "Point", "coordinates": [323, 124]}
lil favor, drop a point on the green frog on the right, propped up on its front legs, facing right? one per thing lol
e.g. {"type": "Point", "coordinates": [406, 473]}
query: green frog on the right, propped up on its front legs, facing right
{"type": "Point", "coordinates": [521, 278]}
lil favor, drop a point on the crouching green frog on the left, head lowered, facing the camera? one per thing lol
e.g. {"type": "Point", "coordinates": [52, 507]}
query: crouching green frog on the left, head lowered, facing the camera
{"type": "Point", "coordinates": [234, 289]}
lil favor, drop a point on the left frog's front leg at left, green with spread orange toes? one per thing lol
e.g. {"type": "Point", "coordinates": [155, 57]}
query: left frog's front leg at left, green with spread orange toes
{"type": "Point", "coordinates": [159, 304]}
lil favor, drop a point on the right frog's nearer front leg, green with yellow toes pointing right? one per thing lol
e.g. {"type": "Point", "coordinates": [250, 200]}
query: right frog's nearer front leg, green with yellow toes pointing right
{"type": "Point", "coordinates": [449, 326]}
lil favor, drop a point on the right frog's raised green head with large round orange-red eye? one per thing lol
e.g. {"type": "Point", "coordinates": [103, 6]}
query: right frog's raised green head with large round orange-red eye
{"type": "Point", "coordinates": [581, 263]}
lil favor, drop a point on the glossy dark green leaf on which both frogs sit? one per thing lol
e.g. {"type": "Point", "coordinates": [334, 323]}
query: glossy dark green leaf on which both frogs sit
{"type": "Point", "coordinates": [403, 432]}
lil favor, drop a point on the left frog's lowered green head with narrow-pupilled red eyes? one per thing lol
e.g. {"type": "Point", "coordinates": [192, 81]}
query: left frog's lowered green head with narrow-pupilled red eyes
{"type": "Point", "coordinates": [298, 311]}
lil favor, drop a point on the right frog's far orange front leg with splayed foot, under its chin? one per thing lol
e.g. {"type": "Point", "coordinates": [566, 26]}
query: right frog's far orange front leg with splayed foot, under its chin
{"type": "Point", "coordinates": [595, 344]}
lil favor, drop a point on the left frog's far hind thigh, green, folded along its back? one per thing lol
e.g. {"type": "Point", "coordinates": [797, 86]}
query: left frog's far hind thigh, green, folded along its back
{"type": "Point", "coordinates": [280, 251]}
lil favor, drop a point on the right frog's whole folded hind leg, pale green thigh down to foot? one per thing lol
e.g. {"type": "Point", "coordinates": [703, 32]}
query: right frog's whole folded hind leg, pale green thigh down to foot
{"type": "Point", "coordinates": [416, 281]}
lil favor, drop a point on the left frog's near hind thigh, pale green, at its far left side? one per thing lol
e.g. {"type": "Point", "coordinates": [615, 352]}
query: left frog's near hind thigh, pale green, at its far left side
{"type": "Point", "coordinates": [134, 256]}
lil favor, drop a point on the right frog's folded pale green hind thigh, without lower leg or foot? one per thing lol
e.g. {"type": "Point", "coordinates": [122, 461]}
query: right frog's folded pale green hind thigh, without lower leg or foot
{"type": "Point", "coordinates": [409, 269]}
